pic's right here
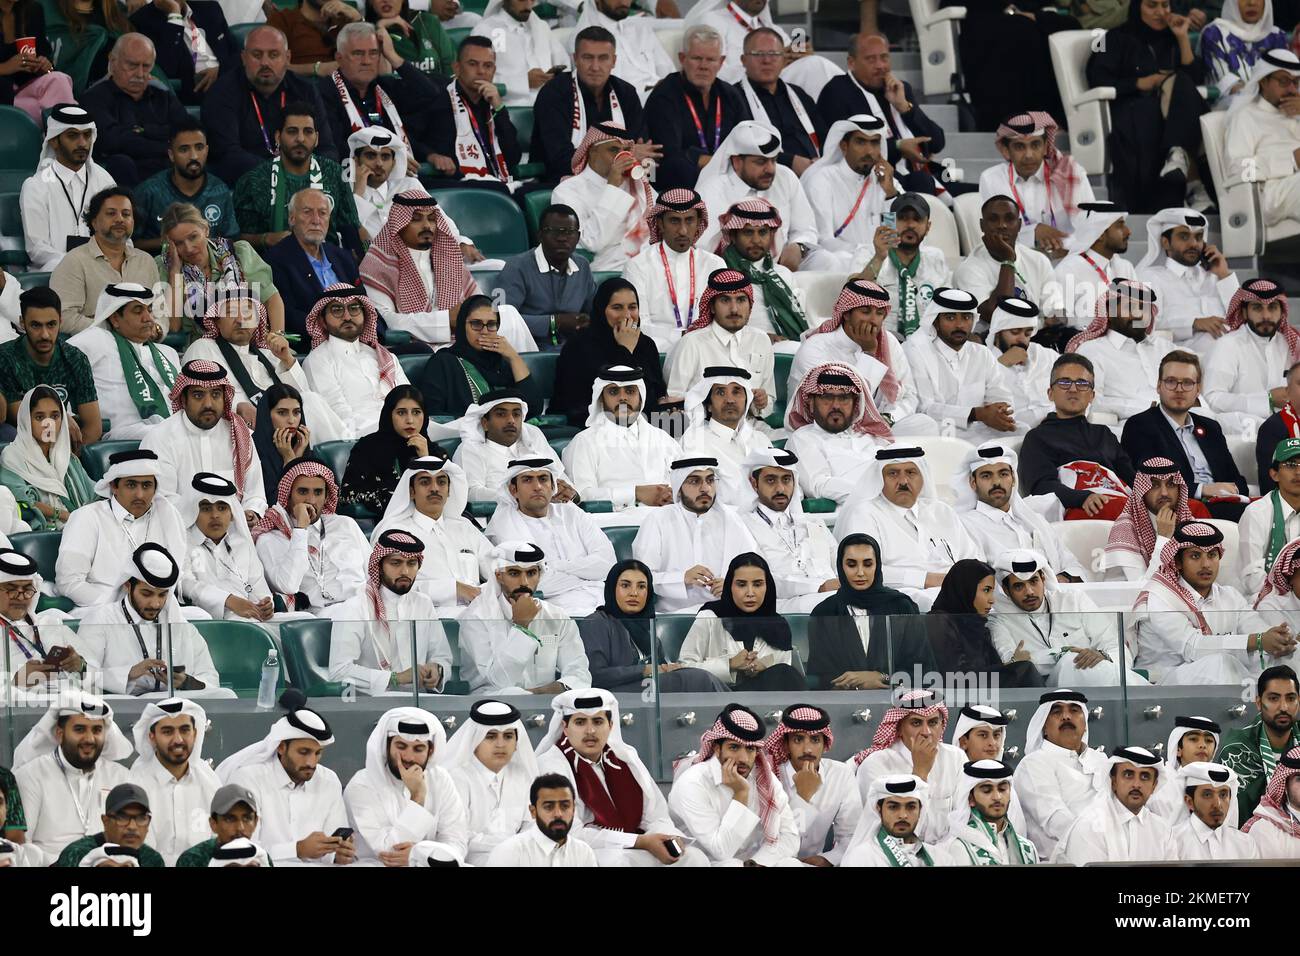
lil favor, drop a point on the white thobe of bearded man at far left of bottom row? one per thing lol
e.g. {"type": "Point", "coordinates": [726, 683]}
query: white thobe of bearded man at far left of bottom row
{"type": "Point", "coordinates": [62, 803]}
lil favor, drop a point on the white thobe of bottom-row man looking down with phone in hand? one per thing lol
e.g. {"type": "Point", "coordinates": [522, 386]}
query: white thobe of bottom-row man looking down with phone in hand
{"type": "Point", "coordinates": [291, 812]}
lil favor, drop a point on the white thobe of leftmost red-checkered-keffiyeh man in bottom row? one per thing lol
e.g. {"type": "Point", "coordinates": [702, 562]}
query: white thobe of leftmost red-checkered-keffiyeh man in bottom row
{"type": "Point", "coordinates": [725, 829]}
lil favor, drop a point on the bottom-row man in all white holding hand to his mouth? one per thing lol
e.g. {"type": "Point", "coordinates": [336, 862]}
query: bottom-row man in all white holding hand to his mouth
{"type": "Point", "coordinates": [401, 797]}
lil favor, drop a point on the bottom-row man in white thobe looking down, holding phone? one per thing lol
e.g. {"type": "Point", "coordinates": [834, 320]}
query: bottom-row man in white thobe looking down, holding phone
{"type": "Point", "coordinates": [300, 801]}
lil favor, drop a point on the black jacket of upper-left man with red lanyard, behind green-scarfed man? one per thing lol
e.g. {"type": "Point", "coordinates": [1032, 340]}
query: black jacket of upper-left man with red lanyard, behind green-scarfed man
{"type": "Point", "coordinates": [236, 139]}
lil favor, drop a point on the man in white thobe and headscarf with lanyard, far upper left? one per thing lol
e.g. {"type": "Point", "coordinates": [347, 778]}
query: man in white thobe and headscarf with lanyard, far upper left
{"type": "Point", "coordinates": [55, 198]}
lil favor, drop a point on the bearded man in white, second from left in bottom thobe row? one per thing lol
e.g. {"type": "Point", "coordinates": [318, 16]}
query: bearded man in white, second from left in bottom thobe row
{"type": "Point", "coordinates": [172, 771]}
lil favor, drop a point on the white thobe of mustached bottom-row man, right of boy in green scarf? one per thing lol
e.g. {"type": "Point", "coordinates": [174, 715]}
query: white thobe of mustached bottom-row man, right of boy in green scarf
{"type": "Point", "coordinates": [1056, 786]}
